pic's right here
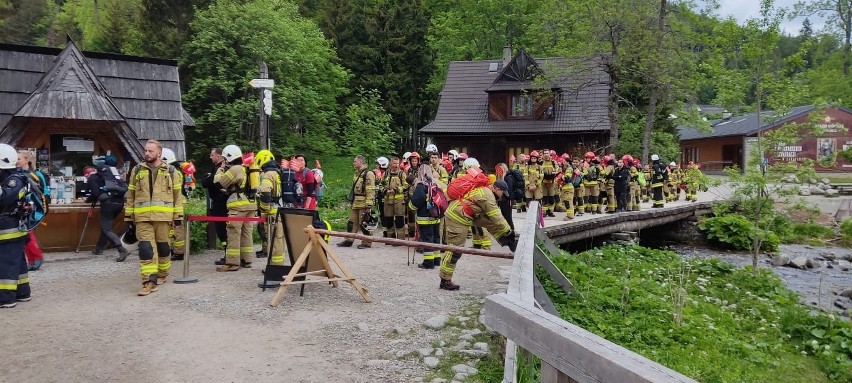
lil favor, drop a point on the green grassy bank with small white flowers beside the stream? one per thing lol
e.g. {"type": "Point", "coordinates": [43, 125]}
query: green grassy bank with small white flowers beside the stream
{"type": "Point", "coordinates": [706, 319]}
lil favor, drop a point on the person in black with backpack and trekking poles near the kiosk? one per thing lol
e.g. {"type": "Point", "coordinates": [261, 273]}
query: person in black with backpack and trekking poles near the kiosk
{"type": "Point", "coordinates": [111, 205]}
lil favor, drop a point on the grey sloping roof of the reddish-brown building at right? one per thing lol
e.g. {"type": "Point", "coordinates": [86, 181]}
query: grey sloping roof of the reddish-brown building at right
{"type": "Point", "coordinates": [744, 125]}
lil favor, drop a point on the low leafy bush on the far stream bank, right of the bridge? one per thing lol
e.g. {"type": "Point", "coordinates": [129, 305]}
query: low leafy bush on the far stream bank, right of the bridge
{"type": "Point", "coordinates": [737, 232]}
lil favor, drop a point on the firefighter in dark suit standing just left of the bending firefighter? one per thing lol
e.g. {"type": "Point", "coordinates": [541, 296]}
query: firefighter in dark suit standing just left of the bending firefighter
{"type": "Point", "coordinates": [427, 225]}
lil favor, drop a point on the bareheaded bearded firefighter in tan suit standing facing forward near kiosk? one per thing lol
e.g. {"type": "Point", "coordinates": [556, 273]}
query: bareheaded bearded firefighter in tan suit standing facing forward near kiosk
{"type": "Point", "coordinates": [154, 202]}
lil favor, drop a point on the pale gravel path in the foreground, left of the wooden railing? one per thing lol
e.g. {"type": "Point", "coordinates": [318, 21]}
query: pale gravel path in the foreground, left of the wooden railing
{"type": "Point", "coordinates": [85, 323]}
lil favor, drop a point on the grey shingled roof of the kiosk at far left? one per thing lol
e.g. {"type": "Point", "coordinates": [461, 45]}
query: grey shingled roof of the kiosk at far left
{"type": "Point", "coordinates": [143, 93]}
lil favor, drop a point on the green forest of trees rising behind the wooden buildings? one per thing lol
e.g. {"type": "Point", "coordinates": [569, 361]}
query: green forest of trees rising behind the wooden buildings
{"type": "Point", "coordinates": [361, 76]}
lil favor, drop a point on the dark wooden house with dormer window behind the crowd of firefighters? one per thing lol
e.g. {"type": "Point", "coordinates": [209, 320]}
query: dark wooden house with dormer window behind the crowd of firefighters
{"type": "Point", "coordinates": [494, 109]}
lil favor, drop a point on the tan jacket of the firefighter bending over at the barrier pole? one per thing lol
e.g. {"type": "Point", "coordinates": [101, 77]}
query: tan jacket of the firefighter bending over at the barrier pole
{"type": "Point", "coordinates": [479, 207]}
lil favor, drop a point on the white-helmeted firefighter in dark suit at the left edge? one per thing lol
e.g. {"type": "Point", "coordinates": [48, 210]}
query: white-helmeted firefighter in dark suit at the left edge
{"type": "Point", "coordinates": [14, 277]}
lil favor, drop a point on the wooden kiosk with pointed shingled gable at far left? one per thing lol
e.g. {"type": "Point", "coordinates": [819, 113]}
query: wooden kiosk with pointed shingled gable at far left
{"type": "Point", "coordinates": [68, 106]}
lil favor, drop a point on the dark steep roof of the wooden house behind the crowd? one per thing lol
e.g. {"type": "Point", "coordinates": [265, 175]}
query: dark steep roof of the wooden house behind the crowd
{"type": "Point", "coordinates": [581, 106]}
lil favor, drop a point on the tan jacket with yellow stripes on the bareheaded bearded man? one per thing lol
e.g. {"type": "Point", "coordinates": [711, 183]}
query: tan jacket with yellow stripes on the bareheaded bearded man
{"type": "Point", "coordinates": [154, 194]}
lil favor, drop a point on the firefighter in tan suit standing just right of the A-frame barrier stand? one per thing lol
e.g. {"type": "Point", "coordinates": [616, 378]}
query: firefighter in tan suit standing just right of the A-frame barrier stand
{"type": "Point", "coordinates": [364, 195]}
